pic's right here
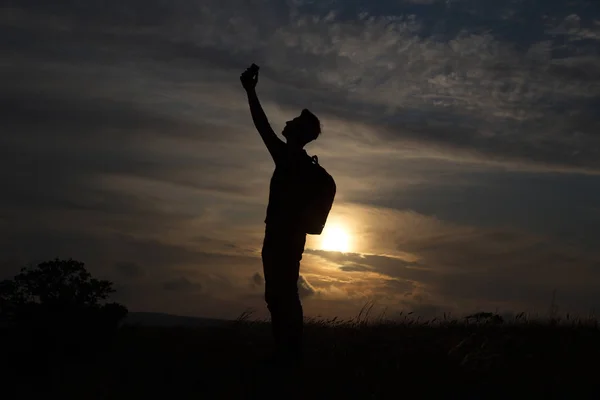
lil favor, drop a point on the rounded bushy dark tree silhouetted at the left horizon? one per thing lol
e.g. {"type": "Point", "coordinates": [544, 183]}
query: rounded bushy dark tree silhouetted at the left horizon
{"type": "Point", "coordinates": [60, 299]}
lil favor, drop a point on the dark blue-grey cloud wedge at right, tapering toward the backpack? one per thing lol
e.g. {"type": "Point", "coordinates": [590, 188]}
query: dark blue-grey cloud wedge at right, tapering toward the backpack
{"type": "Point", "coordinates": [559, 205]}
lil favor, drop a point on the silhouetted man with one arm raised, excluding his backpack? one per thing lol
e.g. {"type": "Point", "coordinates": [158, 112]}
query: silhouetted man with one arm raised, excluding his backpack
{"type": "Point", "coordinates": [285, 234]}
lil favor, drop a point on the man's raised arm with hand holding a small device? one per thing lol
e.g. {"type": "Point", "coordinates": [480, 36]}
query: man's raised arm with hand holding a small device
{"type": "Point", "coordinates": [275, 145]}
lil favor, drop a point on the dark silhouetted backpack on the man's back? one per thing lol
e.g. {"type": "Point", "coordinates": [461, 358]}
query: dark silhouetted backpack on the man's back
{"type": "Point", "coordinates": [319, 194]}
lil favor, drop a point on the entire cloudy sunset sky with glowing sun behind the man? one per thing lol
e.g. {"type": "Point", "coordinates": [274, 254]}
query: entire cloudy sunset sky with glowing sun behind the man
{"type": "Point", "coordinates": [463, 135]}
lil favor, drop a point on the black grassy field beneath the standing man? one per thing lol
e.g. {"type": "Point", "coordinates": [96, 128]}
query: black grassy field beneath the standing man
{"type": "Point", "coordinates": [345, 359]}
